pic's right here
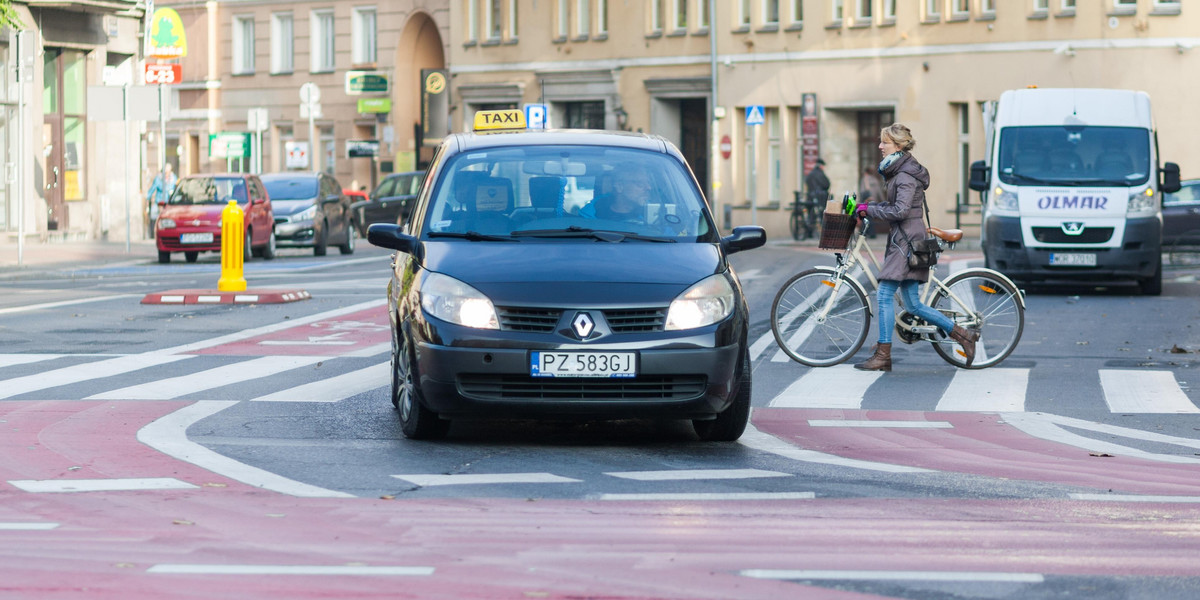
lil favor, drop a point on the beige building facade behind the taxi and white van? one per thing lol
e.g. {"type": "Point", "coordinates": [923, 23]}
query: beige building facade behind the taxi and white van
{"type": "Point", "coordinates": [827, 75]}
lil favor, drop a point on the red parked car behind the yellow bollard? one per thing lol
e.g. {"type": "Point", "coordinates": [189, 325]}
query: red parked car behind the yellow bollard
{"type": "Point", "coordinates": [190, 221]}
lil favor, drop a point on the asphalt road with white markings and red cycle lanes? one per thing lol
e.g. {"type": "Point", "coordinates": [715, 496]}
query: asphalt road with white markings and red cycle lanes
{"type": "Point", "coordinates": [268, 431]}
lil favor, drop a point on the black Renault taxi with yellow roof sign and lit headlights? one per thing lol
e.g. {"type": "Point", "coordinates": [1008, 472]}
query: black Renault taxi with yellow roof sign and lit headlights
{"type": "Point", "coordinates": [508, 302]}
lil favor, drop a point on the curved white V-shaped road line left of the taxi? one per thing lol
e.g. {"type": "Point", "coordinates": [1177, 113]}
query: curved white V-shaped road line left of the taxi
{"type": "Point", "coordinates": [169, 435]}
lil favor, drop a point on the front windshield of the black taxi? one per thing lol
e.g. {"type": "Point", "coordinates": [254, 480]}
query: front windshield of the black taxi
{"type": "Point", "coordinates": [537, 194]}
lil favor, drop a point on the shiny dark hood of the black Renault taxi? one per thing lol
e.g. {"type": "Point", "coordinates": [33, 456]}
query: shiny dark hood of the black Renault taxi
{"type": "Point", "coordinates": [578, 272]}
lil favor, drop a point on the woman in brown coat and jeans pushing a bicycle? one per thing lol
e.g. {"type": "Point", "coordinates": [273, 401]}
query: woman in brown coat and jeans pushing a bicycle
{"type": "Point", "coordinates": [902, 206]}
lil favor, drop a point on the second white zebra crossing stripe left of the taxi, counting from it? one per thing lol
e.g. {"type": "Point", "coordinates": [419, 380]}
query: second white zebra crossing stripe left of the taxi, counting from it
{"type": "Point", "coordinates": [219, 377]}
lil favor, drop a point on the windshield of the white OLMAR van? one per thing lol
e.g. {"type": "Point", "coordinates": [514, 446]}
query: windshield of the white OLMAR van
{"type": "Point", "coordinates": [1075, 157]}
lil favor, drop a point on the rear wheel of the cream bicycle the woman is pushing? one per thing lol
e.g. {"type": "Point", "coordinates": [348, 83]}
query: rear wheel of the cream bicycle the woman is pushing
{"type": "Point", "coordinates": [989, 305]}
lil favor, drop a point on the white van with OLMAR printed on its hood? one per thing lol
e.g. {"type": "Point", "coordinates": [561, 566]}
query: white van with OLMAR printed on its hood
{"type": "Point", "coordinates": [1072, 188]}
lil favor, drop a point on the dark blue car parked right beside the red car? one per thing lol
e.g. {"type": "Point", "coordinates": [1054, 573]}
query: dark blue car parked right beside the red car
{"type": "Point", "coordinates": [311, 212]}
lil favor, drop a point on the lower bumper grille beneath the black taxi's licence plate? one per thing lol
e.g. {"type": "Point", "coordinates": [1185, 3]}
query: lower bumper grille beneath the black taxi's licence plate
{"type": "Point", "coordinates": [487, 387]}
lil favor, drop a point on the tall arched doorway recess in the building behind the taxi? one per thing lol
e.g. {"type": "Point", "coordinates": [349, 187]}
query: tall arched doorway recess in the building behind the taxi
{"type": "Point", "coordinates": [421, 47]}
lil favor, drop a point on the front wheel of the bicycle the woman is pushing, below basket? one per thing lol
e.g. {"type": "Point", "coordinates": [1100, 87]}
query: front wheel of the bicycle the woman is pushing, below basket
{"type": "Point", "coordinates": [801, 331]}
